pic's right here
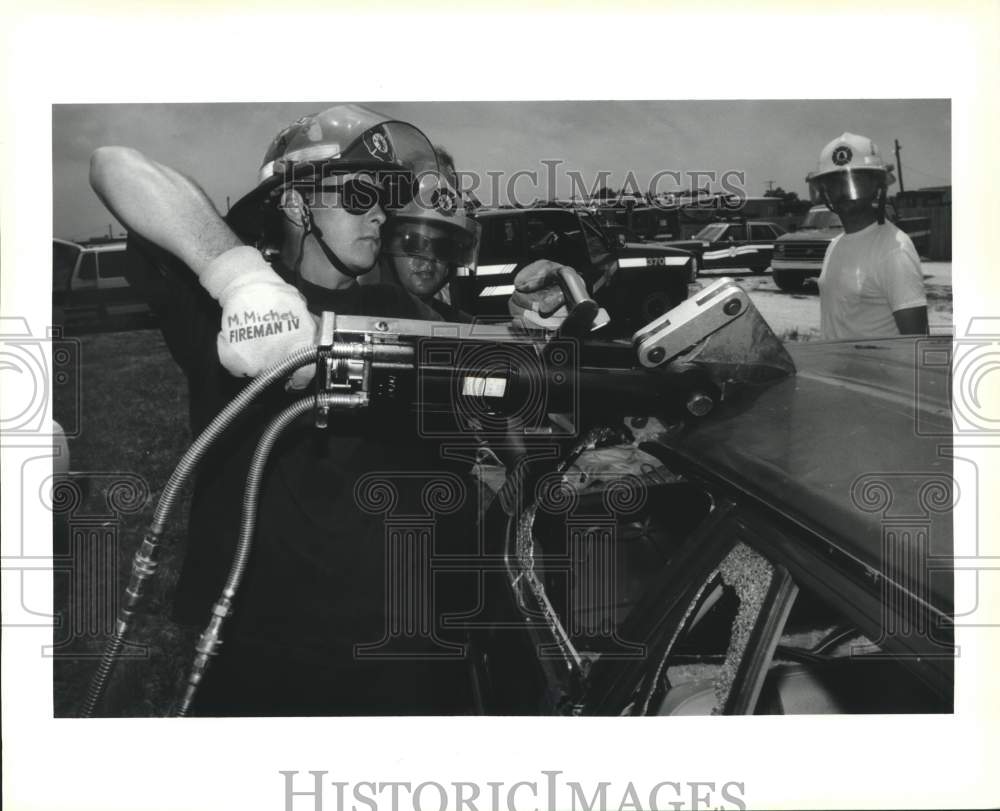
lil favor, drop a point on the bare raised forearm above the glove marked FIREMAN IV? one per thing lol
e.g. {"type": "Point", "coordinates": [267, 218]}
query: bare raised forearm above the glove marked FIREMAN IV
{"type": "Point", "coordinates": [160, 204]}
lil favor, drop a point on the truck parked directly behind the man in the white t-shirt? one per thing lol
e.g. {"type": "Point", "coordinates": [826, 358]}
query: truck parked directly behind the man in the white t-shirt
{"type": "Point", "coordinates": [798, 256]}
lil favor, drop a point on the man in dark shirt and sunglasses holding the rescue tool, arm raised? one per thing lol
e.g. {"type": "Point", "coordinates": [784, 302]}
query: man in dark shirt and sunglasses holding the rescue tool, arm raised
{"type": "Point", "coordinates": [315, 592]}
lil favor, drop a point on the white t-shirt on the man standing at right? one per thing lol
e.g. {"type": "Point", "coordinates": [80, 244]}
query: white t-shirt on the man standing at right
{"type": "Point", "coordinates": [866, 277]}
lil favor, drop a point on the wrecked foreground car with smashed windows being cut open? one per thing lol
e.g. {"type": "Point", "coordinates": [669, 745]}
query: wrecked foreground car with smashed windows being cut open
{"type": "Point", "coordinates": [763, 560]}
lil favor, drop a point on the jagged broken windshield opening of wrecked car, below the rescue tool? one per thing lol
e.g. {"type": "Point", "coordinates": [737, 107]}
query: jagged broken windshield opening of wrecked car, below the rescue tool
{"type": "Point", "coordinates": [591, 548]}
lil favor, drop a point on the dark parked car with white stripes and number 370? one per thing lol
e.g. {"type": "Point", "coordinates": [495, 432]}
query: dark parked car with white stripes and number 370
{"type": "Point", "coordinates": [636, 283]}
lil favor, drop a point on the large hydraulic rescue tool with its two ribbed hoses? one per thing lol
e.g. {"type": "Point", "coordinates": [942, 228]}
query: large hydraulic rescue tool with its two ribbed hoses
{"type": "Point", "coordinates": [488, 380]}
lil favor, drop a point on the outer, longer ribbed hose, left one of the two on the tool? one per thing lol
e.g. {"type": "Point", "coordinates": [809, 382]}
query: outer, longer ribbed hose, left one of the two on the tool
{"type": "Point", "coordinates": [146, 559]}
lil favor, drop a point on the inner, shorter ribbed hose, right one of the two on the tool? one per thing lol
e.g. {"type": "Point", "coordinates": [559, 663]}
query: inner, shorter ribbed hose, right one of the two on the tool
{"type": "Point", "coordinates": [211, 638]}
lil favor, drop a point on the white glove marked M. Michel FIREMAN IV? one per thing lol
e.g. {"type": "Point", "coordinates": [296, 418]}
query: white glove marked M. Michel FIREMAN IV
{"type": "Point", "coordinates": [264, 319]}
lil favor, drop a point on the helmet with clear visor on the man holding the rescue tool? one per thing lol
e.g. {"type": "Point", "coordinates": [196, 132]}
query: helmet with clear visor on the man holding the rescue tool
{"type": "Point", "coordinates": [346, 138]}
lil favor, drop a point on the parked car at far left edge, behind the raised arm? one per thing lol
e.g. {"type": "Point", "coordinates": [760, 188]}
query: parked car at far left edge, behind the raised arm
{"type": "Point", "coordinates": [89, 284]}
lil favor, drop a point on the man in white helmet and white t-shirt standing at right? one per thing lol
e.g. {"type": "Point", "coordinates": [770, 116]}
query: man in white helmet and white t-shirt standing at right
{"type": "Point", "coordinates": [871, 284]}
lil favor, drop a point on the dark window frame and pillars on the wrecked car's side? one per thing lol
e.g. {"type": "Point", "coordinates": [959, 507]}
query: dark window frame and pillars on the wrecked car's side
{"type": "Point", "coordinates": [800, 559]}
